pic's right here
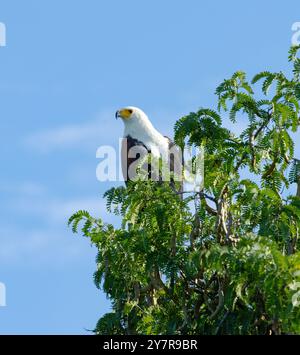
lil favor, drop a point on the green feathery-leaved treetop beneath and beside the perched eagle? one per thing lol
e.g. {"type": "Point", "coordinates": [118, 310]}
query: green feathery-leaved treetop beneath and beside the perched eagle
{"type": "Point", "coordinates": [231, 264]}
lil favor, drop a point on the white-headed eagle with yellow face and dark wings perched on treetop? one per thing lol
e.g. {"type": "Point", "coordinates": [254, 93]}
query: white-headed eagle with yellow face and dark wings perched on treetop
{"type": "Point", "coordinates": [140, 139]}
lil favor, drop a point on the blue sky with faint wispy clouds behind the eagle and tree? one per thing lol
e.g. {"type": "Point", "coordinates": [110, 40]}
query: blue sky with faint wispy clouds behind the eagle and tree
{"type": "Point", "coordinates": [68, 65]}
